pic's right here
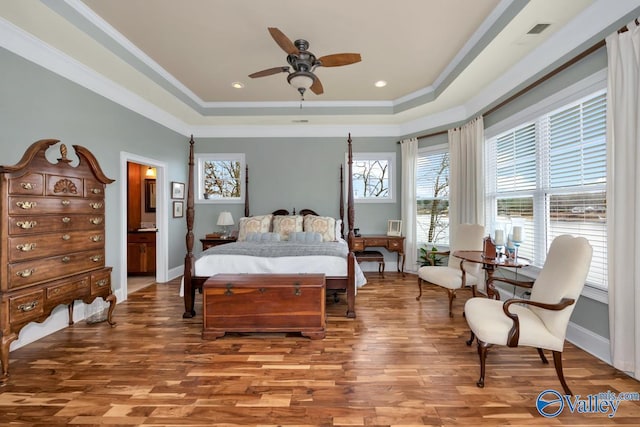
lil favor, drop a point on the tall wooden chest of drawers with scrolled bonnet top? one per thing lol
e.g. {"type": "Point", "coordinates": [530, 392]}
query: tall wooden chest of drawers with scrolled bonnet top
{"type": "Point", "coordinates": [52, 236]}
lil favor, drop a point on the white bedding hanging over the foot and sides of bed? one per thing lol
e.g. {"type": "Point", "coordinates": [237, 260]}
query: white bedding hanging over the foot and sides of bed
{"type": "Point", "coordinates": [231, 264]}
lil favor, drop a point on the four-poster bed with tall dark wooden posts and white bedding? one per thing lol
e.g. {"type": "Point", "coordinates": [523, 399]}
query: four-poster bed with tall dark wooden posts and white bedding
{"type": "Point", "coordinates": [333, 256]}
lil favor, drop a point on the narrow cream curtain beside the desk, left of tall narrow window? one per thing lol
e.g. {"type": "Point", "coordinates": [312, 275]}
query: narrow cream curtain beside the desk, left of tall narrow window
{"type": "Point", "coordinates": [409, 207]}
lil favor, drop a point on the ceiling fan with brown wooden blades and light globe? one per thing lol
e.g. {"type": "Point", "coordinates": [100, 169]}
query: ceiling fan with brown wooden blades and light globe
{"type": "Point", "coordinates": [304, 63]}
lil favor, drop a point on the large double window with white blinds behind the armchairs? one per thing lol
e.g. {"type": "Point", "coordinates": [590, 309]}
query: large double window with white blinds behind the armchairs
{"type": "Point", "coordinates": [549, 176]}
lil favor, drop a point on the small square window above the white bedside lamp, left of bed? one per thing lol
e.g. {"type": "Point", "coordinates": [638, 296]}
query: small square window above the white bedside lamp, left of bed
{"type": "Point", "coordinates": [220, 178]}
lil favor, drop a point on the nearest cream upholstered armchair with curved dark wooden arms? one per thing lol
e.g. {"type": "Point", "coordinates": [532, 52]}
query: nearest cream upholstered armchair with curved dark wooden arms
{"type": "Point", "coordinates": [542, 320]}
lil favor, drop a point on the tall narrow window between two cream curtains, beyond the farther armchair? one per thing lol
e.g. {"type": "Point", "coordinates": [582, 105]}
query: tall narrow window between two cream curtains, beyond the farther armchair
{"type": "Point", "coordinates": [432, 191]}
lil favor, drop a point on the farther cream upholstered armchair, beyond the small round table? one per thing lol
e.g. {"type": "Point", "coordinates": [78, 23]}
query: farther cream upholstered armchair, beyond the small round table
{"type": "Point", "coordinates": [457, 274]}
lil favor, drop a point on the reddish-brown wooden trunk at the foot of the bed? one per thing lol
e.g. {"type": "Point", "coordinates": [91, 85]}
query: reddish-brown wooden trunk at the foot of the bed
{"type": "Point", "coordinates": [264, 303]}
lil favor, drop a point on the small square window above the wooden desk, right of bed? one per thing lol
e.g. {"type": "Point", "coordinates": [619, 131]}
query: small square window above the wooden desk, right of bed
{"type": "Point", "coordinates": [372, 175]}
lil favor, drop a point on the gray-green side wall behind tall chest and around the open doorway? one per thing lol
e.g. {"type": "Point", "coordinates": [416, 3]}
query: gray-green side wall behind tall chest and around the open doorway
{"type": "Point", "coordinates": [37, 104]}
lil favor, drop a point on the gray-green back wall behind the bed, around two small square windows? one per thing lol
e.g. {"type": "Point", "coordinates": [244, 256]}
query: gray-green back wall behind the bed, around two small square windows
{"type": "Point", "coordinates": [299, 173]}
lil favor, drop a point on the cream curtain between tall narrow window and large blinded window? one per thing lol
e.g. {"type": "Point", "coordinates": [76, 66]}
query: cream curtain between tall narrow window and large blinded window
{"type": "Point", "coordinates": [466, 175]}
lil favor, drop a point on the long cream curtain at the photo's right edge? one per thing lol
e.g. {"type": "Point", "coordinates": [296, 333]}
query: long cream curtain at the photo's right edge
{"type": "Point", "coordinates": [623, 198]}
